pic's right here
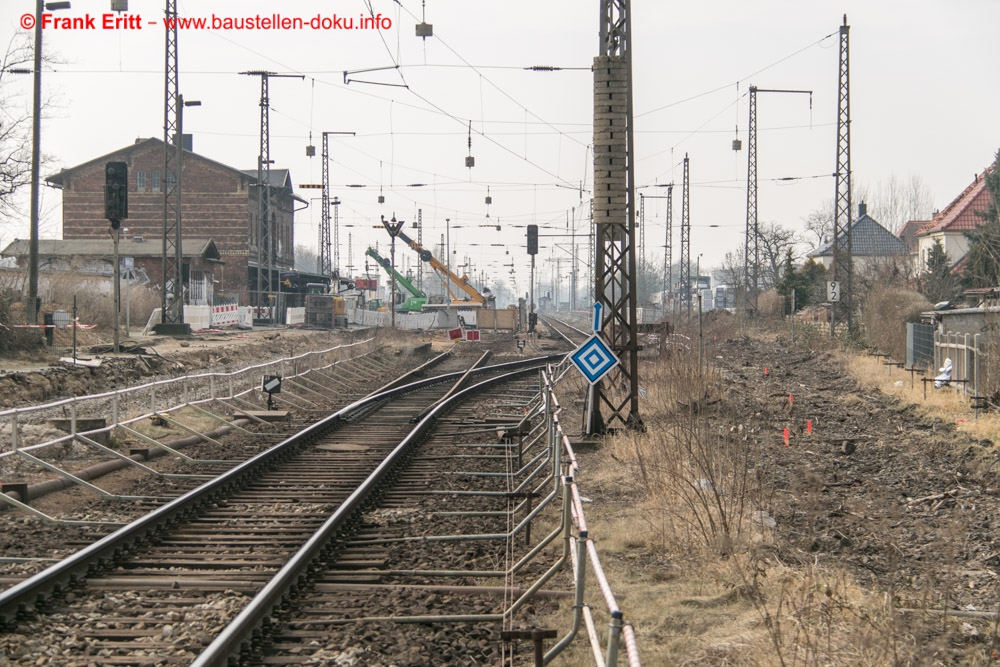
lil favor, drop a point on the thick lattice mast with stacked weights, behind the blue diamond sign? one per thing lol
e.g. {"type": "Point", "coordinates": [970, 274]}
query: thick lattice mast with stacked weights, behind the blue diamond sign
{"type": "Point", "coordinates": [614, 217]}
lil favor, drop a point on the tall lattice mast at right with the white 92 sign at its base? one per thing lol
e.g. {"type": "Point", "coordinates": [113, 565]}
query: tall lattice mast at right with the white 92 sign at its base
{"type": "Point", "coordinates": [842, 261]}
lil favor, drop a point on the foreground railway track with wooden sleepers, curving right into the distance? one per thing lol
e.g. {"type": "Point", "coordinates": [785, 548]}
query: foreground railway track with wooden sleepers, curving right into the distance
{"type": "Point", "coordinates": [297, 523]}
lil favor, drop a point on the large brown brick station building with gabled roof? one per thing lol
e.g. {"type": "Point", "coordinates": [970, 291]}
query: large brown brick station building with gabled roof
{"type": "Point", "coordinates": [218, 203]}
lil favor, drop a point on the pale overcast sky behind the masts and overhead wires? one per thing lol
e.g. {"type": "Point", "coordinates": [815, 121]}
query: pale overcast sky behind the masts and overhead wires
{"type": "Point", "coordinates": [923, 102]}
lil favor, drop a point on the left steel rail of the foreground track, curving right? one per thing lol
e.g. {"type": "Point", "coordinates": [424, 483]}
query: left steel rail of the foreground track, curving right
{"type": "Point", "coordinates": [32, 592]}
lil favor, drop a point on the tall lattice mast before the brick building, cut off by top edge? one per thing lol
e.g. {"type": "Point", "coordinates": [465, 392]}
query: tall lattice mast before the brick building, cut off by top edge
{"type": "Point", "coordinates": [171, 309]}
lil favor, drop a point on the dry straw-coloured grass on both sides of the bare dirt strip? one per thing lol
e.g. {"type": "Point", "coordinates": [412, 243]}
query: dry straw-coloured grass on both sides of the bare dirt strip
{"type": "Point", "coordinates": [683, 535]}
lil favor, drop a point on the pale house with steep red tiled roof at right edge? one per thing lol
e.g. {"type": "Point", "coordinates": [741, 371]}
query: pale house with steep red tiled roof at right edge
{"type": "Point", "coordinates": [951, 223]}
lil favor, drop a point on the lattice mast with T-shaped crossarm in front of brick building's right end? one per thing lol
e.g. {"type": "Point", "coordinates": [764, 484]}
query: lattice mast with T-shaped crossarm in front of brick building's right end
{"type": "Point", "coordinates": [265, 250]}
